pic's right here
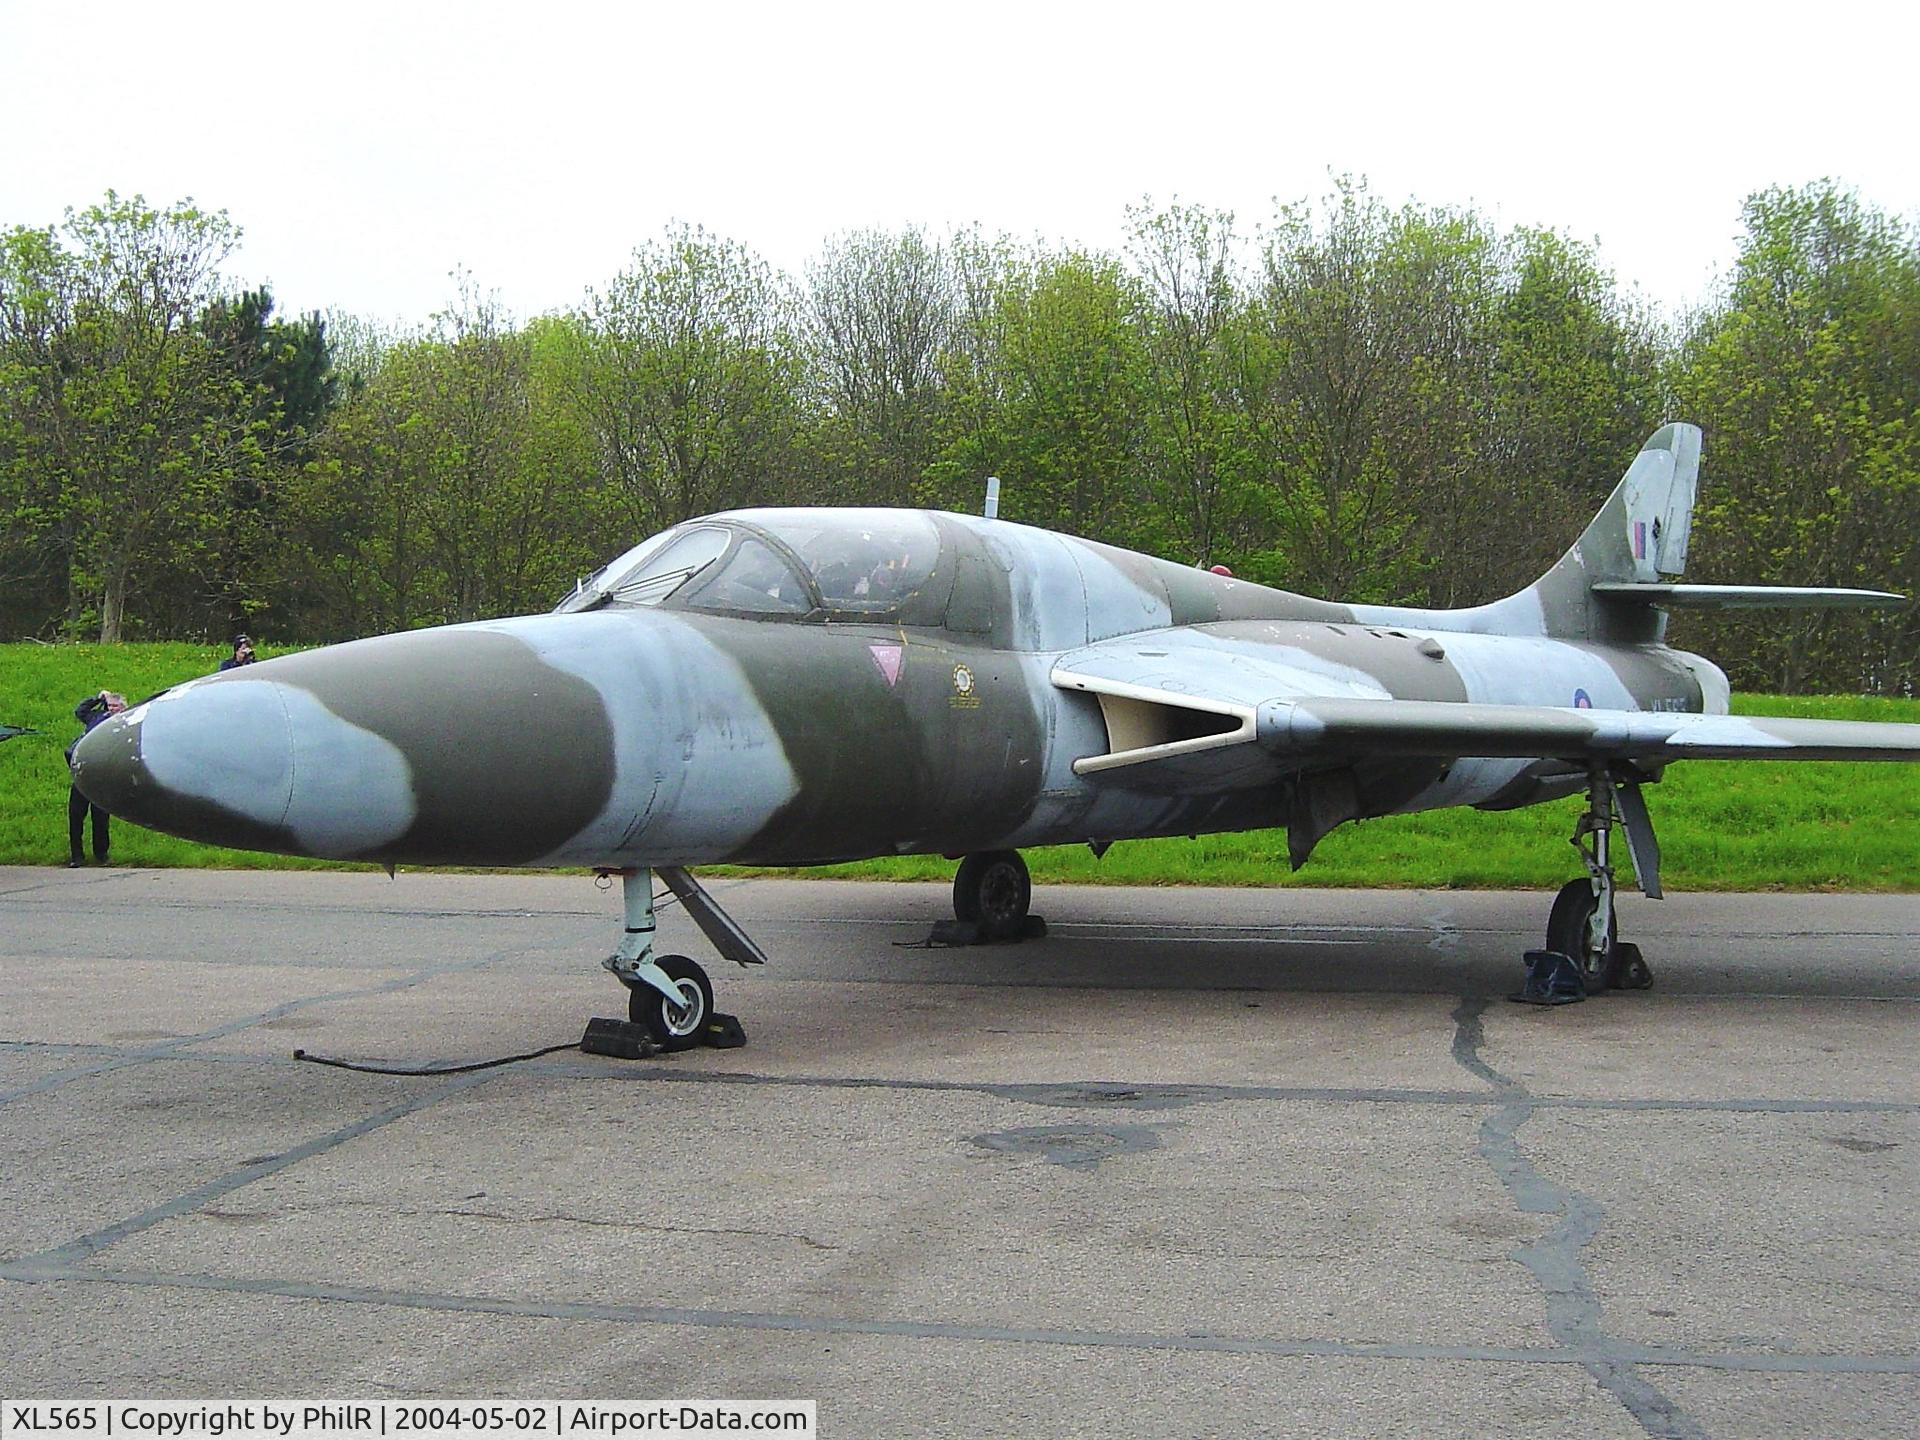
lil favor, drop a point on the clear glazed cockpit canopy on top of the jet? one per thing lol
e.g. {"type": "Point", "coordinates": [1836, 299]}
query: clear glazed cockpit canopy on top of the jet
{"type": "Point", "coordinates": [857, 564]}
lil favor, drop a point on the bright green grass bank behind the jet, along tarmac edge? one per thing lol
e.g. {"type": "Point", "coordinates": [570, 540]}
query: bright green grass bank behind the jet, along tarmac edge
{"type": "Point", "coordinates": [1725, 827]}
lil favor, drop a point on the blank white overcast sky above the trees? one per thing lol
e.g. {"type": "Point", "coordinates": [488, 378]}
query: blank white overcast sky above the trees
{"type": "Point", "coordinates": [370, 149]}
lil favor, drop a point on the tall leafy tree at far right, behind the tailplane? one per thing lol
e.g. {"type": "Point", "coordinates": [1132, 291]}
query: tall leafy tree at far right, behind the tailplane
{"type": "Point", "coordinates": [1808, 383]}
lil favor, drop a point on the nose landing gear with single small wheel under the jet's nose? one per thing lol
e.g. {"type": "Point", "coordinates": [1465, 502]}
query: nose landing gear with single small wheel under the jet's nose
{"type": "Point", "coordinates": [671, 996]}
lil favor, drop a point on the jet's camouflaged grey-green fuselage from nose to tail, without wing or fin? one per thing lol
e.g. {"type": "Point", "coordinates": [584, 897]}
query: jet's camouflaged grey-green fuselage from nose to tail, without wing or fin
{"type": "Point", "coordinates": [813, 686]}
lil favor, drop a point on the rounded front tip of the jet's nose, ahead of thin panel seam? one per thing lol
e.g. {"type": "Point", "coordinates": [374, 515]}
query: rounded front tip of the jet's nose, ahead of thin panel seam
{"type": "Point", "coordinates": [206, 761]}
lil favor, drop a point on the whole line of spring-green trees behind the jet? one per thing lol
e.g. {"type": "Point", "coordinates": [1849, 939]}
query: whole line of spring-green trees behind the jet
{"type": "Point", "coordinates": [1358, 400]}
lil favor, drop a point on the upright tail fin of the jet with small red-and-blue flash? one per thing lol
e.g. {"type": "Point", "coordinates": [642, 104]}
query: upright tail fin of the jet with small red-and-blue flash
{"type": "Point", "coordinates": [1639, 537]}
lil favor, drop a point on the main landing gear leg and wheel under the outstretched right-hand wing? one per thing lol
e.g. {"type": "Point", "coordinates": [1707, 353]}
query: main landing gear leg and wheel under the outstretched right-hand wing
{"type": "Point", "coordinates": [1583, 924]}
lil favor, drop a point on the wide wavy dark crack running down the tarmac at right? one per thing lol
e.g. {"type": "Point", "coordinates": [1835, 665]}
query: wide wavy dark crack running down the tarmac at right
{"type": "Point", "coordinates": [1554, 1260]}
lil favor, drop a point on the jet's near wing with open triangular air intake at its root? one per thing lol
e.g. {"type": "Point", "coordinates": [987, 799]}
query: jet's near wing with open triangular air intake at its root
{"type": "Point", "coordinates": [1193, 711]}
